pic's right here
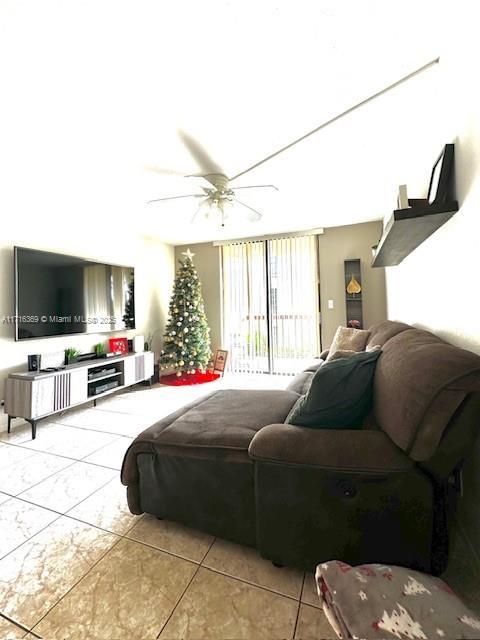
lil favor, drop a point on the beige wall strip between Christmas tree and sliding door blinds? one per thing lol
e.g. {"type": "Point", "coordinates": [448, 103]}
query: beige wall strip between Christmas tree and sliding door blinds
{"type": "Point", "coordinates": [207, 263]}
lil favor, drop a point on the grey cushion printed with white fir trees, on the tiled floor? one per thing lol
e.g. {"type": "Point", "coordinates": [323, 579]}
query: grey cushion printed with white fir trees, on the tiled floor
{"type": "Point", "coordinates": [378, 601]}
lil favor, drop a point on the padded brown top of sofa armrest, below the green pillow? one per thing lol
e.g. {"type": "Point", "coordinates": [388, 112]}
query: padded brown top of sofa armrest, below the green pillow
{"type": "Point", "coordinates": [340, 449]}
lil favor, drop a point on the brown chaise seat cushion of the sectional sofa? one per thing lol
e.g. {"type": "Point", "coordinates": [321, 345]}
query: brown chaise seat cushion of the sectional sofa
{"type": "Point", "coordinates": [218, 426]}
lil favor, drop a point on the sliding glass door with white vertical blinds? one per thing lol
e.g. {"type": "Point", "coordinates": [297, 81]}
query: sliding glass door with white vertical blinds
{"type": "Point", "coordinates": [270, 304]}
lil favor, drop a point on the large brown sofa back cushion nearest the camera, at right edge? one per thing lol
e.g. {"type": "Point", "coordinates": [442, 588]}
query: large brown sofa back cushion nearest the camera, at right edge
{"type": "Point", "coordinates": [419, 383]}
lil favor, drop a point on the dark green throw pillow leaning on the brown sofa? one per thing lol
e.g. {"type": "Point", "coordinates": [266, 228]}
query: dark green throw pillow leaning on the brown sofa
{"type": "Point", "coordinates": [340, 394]}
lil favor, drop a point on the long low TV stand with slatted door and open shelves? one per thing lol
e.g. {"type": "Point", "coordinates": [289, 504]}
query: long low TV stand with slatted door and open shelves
{"type": "Point", "coordinates": [35, 395]}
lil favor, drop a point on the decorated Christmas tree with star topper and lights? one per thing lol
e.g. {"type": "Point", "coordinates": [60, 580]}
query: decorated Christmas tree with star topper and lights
{"type": "Point", "coordinates": [187, 335]}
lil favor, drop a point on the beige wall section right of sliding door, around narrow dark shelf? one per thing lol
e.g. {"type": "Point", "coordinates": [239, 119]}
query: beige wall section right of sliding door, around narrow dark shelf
{"type": "Point", "coordinates": [343, 243]}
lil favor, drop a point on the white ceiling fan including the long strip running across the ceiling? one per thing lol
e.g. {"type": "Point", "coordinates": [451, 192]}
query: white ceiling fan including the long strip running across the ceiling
{"type": "Point", "coordinates": [220, 194]}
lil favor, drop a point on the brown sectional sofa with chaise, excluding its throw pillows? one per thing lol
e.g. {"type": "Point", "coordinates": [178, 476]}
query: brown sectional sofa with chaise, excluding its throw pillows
{"type": "Point", "coordinates": [228, 465]}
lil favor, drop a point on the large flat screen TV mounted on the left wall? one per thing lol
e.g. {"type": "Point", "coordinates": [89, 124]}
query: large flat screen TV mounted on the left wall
{"type": "Point", "coordinates": [57, 295]}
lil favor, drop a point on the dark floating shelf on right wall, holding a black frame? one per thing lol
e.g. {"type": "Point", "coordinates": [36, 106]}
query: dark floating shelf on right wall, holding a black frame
{"type": "Point", "coordinates": [408, 228]}
